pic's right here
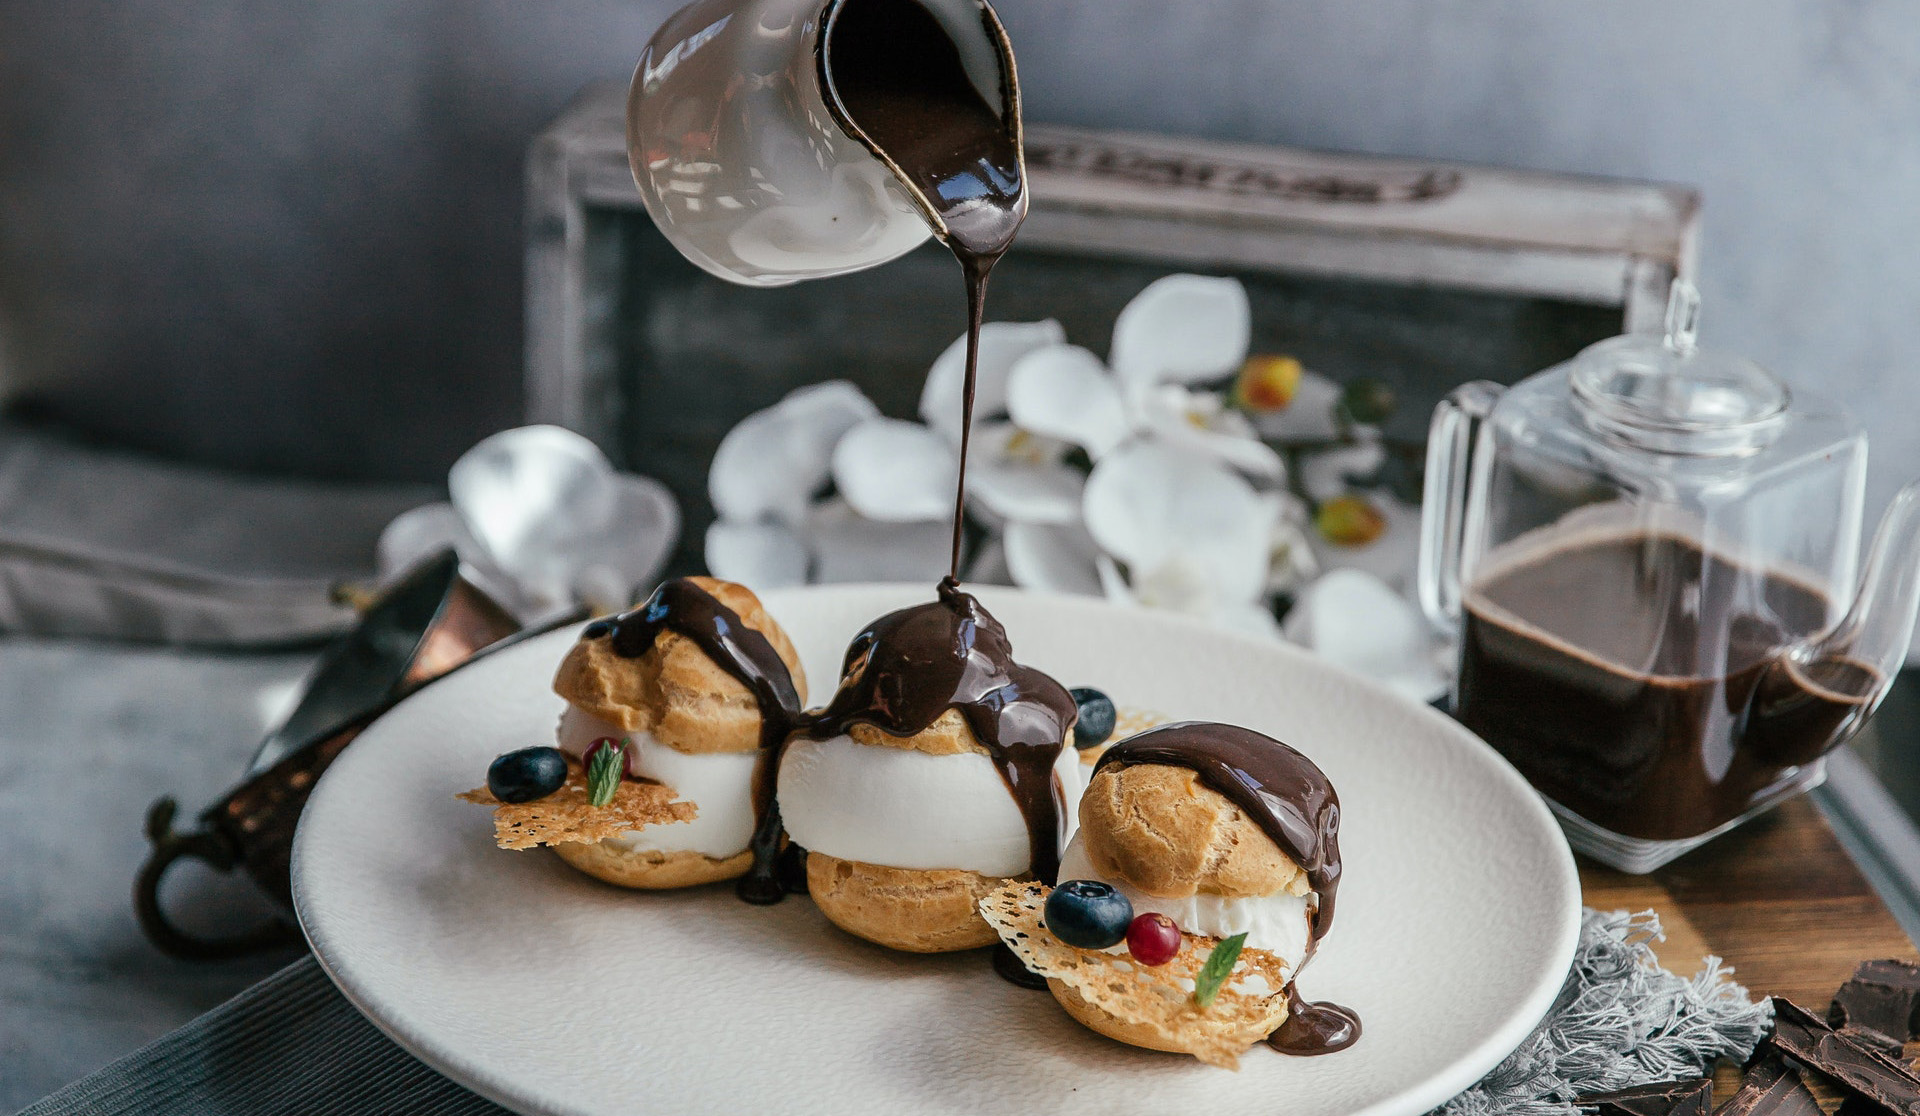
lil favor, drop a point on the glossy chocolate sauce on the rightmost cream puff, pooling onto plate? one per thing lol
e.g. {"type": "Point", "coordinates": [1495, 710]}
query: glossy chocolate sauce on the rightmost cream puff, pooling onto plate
{"type": "Point", "coordinates": [1291, 800]}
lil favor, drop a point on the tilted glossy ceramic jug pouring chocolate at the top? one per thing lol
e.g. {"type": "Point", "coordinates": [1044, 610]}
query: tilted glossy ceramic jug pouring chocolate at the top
{"type": "Point", "coordinates": [748, 158]}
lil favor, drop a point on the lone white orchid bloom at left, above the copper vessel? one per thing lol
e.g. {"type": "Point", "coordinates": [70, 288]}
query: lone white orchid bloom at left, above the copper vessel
{"type": "Point", "coordinates": [540, 520]}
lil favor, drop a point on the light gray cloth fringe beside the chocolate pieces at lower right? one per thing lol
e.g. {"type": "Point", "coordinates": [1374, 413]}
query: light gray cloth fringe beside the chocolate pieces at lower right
{"type": "Point", "coordinates": [1620, 1021]}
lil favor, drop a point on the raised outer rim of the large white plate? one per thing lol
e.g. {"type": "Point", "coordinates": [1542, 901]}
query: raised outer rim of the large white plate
{"type": "Point", "coordinates": [1414, 1100]}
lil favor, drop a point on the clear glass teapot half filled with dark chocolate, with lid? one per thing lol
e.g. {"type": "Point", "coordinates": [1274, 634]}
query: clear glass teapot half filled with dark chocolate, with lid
{"type": "Point", "coordinates": [1648, 560]}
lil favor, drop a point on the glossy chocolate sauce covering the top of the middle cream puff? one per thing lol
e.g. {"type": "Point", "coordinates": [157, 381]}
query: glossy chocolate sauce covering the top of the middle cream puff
{"type": "Point", "coordinates": [913, 666]}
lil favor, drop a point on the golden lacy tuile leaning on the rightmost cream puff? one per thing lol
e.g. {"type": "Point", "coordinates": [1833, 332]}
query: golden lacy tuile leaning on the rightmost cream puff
{"type": "Point", "coordinates": [1151, 1006]}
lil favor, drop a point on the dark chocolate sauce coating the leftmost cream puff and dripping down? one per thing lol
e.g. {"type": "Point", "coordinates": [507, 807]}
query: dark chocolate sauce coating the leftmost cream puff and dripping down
{"type": "Point", "coordinates": [688, 610]}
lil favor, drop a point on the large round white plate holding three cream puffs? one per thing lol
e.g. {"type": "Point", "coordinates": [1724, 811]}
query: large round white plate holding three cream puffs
{"type": "Point", "coordinates": [554, 994]}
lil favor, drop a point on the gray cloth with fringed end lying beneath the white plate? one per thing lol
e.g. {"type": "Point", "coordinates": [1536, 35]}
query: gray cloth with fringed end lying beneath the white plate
{"type": "Point", "coordinates": [293, 1044]}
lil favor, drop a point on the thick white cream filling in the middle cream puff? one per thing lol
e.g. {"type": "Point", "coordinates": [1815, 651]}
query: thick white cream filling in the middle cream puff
{"type": "Point", "coordinates": [909, 810]}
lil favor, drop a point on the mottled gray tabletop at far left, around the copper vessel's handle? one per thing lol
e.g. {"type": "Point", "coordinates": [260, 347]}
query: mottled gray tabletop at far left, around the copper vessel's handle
{"type": "Point", "coordinates": [89, 737]}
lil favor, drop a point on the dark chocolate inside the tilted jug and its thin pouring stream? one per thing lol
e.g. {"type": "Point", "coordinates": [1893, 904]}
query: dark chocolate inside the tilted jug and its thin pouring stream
{"type": "Point", "coordinates": [898, 82]}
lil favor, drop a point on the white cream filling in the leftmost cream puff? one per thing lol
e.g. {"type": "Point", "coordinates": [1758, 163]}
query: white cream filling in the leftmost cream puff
{"type": "Point", "coordinates": [719, 785]}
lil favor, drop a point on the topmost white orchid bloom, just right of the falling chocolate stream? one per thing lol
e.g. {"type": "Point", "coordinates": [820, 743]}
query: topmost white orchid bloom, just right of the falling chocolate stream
{"type": "Point", "coordinates": [1180, 331]}
